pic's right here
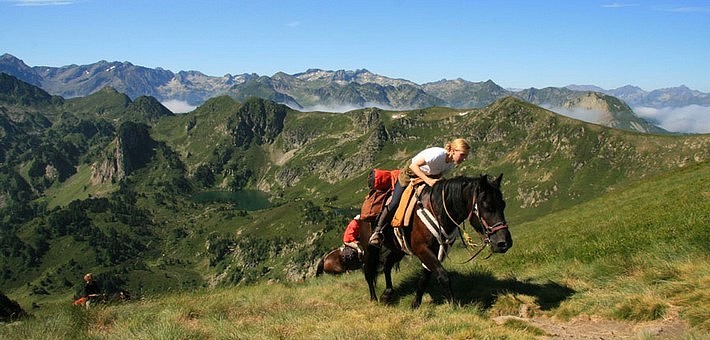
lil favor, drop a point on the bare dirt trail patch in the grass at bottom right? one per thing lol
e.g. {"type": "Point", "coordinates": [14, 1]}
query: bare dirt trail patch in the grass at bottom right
{"type": "Point", "coordinates": [585, 327]}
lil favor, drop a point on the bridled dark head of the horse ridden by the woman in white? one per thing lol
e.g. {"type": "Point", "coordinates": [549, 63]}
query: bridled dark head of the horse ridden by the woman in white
{"type": "Point", "coordinates": [488, 216]}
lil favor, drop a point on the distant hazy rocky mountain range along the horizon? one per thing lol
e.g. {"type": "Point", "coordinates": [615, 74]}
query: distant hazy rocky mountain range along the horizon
{"type": "Point", "coordinates": [340, 91]}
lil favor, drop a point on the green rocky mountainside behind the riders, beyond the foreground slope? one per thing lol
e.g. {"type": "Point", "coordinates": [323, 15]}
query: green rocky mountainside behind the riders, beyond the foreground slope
{"type": "Point", "coordinates": [175, 222]}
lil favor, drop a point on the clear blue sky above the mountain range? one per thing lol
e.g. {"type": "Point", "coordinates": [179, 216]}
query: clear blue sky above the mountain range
{"type": "Point", "coordinates": [517, 44]}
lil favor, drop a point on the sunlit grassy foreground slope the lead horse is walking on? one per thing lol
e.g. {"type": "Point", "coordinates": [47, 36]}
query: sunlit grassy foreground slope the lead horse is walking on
{"type": "Point", "coordinates": [638, 256]}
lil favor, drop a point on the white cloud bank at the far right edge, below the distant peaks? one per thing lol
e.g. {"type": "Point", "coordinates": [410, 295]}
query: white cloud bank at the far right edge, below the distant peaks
{"type": "Point", "coordinates": [688, 119]}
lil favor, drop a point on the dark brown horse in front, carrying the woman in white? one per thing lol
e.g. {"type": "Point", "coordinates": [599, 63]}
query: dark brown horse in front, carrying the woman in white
{"type": "Point", "coordinates": [451, 202]}
